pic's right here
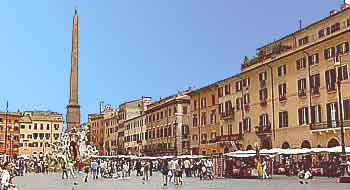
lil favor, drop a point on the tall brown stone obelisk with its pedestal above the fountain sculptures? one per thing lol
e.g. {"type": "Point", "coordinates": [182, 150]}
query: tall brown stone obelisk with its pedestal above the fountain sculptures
{"type": "Point", "coordinates": [73, 108]}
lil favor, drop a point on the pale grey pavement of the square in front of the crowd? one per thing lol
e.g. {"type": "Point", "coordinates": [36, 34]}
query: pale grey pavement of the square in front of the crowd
{"type": "Point", "coordinates": [54, 182]}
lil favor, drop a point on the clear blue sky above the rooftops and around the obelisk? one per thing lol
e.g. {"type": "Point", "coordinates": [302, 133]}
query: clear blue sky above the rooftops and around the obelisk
{"type": "Point", "coordinates": [134, 48]}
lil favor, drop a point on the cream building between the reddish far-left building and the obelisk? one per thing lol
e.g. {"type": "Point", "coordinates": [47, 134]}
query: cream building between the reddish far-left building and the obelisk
{"type": "Point", "coordinates": [38, 131]}
